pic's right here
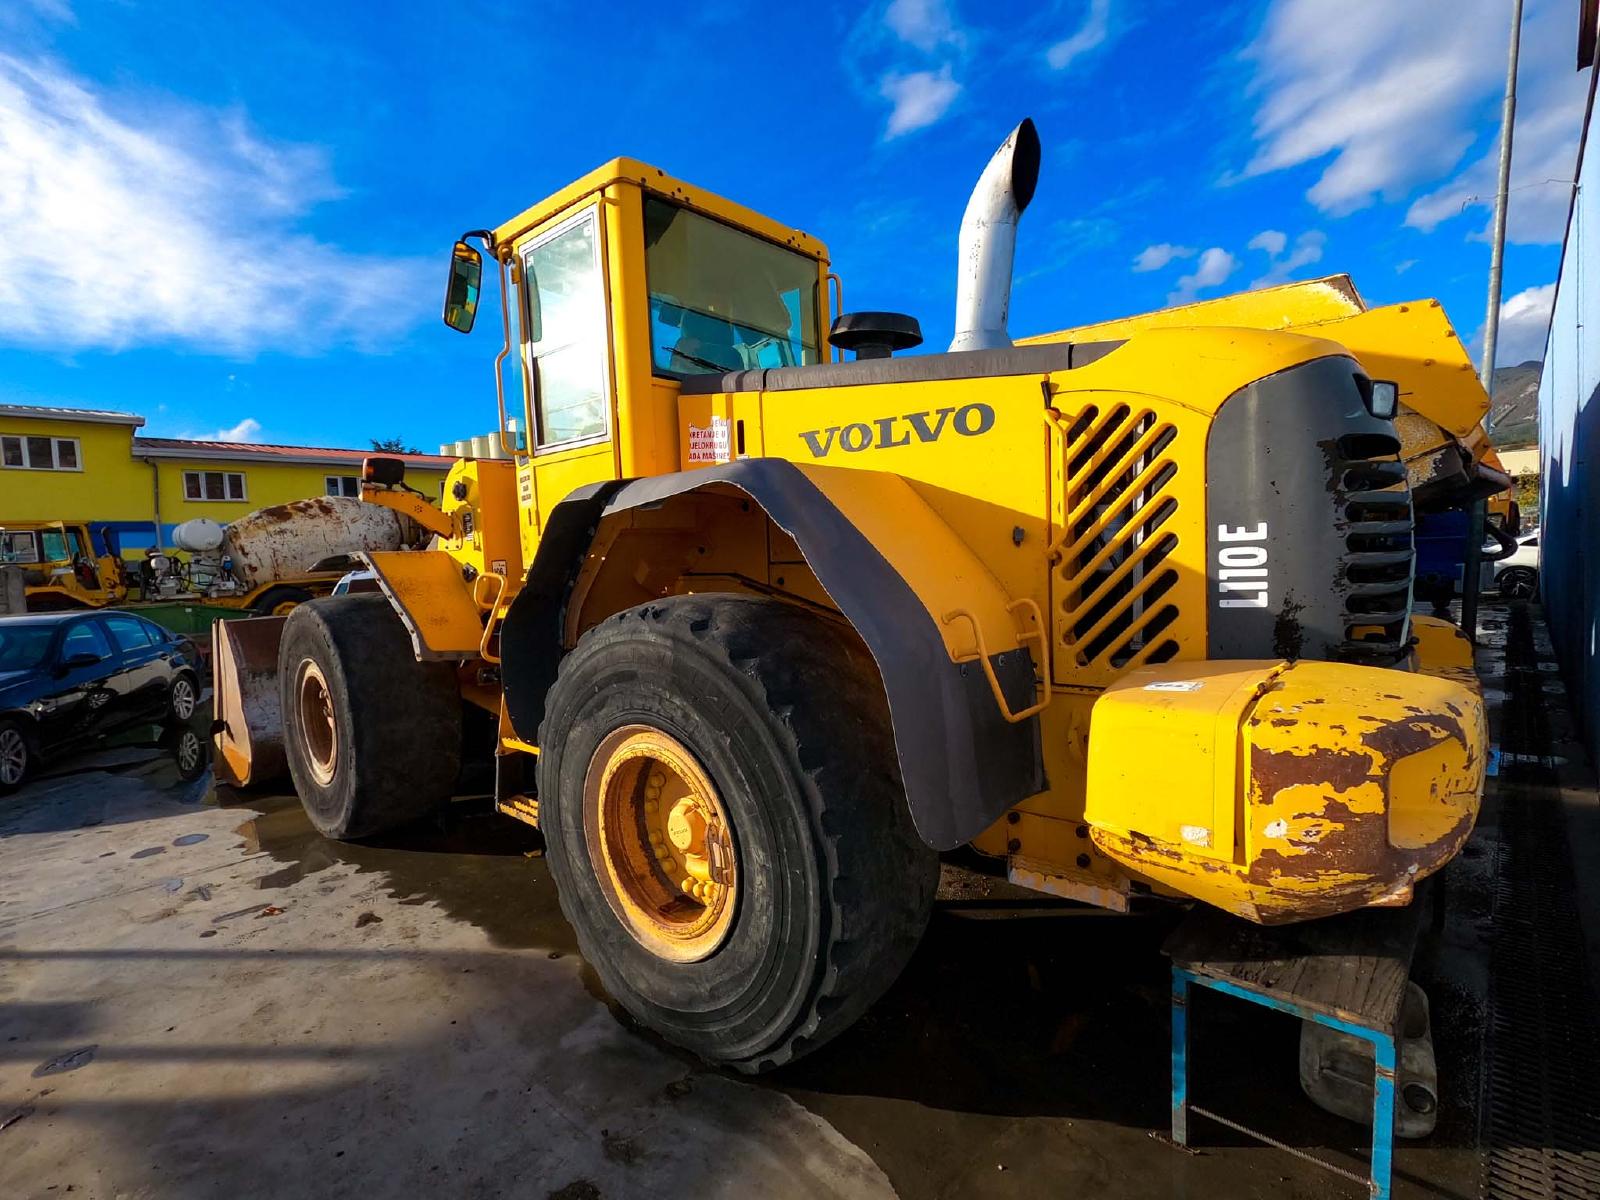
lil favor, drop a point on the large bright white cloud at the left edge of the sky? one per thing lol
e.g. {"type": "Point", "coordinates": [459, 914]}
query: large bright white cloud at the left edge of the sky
{"type": "Point", "coordinates": [177, 228]}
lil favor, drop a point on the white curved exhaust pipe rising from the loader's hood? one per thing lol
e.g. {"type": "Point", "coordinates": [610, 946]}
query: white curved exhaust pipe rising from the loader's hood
{"type": "Point", "coordinates": [983, 287]}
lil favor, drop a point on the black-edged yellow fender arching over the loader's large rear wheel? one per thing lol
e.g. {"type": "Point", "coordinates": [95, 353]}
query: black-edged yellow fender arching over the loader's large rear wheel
{"type": "Point", "coordinates": [894, 570]}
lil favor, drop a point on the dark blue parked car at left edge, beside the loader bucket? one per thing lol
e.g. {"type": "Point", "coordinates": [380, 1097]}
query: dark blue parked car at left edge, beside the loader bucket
{"type": "Point", "coordinates": [70, 679]}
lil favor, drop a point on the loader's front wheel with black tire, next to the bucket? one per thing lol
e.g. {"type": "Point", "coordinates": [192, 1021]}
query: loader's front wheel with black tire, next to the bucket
{"type": "Point", "coordinates": [372, 737]}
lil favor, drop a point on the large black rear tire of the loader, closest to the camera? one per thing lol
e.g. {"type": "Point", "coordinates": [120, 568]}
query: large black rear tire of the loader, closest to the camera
{"type": "Point", "coordinates": [785, 714]}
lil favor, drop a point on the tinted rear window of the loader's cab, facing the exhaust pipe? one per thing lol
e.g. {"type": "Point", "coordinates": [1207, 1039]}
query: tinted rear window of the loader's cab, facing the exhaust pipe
{"type": "Point", "coordinates": [722, 300]}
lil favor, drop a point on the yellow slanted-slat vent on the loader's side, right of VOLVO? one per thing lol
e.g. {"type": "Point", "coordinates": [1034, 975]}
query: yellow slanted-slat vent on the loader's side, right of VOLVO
{"type": "Point", "coordinates": [1114, 542]}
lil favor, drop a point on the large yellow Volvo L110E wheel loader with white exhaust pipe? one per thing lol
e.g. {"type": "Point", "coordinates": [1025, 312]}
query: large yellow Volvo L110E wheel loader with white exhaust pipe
{"type": "Point", "coordinates": [764, 631]}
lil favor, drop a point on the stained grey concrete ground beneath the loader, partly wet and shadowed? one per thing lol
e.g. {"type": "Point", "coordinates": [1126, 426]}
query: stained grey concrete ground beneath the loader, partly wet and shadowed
{"type": "Point", "coordinates": [201, 998]}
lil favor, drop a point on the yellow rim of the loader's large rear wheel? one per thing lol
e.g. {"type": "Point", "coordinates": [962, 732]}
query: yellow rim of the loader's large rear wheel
{"type": "Point", "coordinates": [662, 846]}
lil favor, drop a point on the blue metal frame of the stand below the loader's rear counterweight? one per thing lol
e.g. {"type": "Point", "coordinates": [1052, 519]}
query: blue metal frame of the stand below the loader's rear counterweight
{"type": "Point", "coordinates": [1378, 1182]}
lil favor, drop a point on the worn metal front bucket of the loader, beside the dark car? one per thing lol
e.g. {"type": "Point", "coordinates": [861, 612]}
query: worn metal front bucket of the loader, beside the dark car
{"type": "Point", "coordinates": [249, 729]}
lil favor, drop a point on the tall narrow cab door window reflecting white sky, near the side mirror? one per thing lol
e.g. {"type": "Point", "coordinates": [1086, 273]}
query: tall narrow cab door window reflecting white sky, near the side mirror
{"type": "Point", "coordinates": [567, 334]}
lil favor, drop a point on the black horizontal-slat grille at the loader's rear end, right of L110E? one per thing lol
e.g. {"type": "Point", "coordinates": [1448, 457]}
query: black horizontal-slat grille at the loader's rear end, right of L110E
{"type": "Point", "coordinates": [1375, 513]}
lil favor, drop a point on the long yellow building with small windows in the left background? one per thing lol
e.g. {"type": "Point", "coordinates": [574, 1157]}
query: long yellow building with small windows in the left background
{"type": "Point", "coordinates": [86, 465]}
